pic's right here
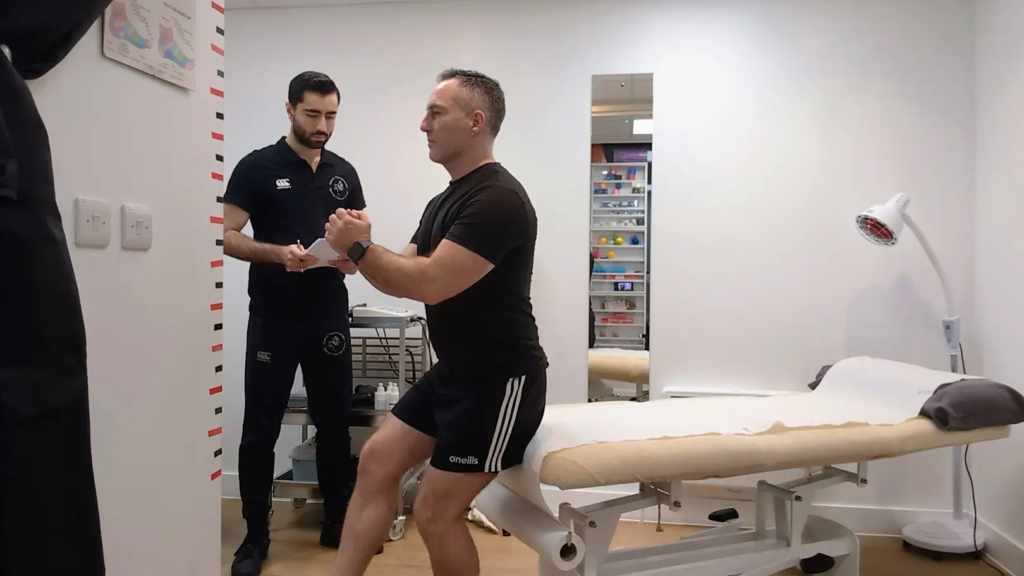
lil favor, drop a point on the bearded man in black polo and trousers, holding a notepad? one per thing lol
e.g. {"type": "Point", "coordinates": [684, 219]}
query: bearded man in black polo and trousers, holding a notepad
{"type": "Point", "coordinates": [298, 310]}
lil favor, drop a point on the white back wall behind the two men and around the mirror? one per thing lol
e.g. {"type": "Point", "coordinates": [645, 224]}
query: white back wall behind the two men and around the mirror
{"type": "Point", "coordinates": [778, 122]}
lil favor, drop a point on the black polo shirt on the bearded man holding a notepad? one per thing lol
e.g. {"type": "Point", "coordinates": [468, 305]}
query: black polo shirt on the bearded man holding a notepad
{"type": "Point", "coordinates": [287, 202]}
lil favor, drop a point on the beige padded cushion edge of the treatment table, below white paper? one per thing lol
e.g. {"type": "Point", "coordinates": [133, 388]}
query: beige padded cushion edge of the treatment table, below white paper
{"type": "Point", "coordinates": [701, 458]}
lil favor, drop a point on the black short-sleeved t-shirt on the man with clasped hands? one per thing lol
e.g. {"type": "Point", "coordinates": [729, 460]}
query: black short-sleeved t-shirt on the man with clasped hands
{"type": "Point", "coordinates": [488, 330]}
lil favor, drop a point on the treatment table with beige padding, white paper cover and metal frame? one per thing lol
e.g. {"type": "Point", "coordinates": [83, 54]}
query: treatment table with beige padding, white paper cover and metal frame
{"type": "Point", "coordinates": [865, 409]}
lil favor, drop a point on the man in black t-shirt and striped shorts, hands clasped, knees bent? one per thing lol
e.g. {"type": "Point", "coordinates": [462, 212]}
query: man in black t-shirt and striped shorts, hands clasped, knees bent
{"type": "Point", "coordinates": [472, 262]}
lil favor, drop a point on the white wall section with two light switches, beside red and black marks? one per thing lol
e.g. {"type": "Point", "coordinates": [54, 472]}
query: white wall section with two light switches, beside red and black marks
{"type": "Point", "coordinates": [119, 135]}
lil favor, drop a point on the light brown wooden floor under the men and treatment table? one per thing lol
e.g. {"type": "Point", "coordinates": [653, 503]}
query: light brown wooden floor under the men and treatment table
{"type": "Point", "coordinates": [295, 550]}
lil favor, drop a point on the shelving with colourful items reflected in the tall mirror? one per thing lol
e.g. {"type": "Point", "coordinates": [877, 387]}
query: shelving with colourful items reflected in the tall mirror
{"type": "Point", "coordinates": [619, 287]}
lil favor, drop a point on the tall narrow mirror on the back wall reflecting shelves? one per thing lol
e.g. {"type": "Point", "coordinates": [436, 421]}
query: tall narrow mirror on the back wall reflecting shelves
{"type": "Point", "coordinates": [620, 194]}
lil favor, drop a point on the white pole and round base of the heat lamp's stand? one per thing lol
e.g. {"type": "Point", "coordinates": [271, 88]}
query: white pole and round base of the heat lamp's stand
{"type": "Point", "coordinates": [956, 536]}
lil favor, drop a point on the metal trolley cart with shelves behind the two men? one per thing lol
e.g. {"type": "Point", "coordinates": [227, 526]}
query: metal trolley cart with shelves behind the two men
{"type": "Point", "coordinates": [377, 358]}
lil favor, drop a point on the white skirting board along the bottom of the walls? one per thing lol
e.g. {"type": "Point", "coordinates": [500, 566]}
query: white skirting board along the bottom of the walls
{"type": "Point", "coordinates": [863, 520]}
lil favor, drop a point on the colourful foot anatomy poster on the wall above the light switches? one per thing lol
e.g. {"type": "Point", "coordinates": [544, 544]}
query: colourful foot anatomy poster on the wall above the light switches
{"type": "Point", "coordinates": [155, 36]}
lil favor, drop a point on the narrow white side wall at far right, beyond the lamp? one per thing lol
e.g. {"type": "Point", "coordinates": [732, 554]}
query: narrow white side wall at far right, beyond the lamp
{"type": "Point", "coordinates": [1000, 254]}
